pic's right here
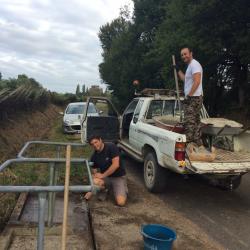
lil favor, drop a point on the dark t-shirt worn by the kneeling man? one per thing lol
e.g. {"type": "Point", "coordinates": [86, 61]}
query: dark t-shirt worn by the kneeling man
{"type": "Point", "coordinates": [103, 159]}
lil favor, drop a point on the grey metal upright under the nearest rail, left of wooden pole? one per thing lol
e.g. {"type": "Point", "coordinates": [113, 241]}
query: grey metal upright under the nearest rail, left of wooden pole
{"type": "Point", "coordinates": [41, 215]}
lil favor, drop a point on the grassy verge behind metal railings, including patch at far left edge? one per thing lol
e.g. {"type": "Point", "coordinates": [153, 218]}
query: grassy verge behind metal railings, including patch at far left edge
{"type": "Point", "coordinates": [38, 174]}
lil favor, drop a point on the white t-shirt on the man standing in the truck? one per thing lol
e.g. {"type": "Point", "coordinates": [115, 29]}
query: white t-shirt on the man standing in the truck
{"type": "Point", "coordinates": [193, 67]}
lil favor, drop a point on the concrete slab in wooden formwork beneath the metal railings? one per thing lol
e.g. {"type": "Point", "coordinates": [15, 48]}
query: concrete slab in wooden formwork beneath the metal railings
{"type": "Point", "coordinates": [24, 232]}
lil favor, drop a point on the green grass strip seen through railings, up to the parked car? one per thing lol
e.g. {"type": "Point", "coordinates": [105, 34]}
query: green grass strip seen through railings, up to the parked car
{"type": "Point", "coordinates": [38, 173]}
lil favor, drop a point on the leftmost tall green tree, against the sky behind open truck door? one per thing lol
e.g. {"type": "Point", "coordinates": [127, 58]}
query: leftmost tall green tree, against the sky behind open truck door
{"type": "Point", "coordinates": [116, 43]}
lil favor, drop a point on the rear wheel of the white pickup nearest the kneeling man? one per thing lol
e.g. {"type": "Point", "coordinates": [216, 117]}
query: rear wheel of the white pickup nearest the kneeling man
{"type": "Point", "coordinates": [154, 174]}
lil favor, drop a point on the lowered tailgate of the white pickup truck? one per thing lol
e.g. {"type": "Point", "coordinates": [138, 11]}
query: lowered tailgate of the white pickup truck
{"type": "Point", "coordinates": [225, 162]}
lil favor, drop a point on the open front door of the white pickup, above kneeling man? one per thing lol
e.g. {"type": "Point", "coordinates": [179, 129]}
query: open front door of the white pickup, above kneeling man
{"type": "Point", "coordinates": [104, 123]}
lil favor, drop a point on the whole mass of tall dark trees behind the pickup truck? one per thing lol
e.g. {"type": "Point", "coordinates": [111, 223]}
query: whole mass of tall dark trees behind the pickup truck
{"type": "Point", "coordinates": [139, 46]}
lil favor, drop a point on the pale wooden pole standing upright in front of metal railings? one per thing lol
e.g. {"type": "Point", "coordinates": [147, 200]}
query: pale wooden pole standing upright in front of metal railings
{"type": "Point", "coordinates": [66, 197]}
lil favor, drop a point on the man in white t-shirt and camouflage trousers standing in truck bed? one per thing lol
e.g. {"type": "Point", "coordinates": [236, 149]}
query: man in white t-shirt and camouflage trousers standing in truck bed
{"type": "Point", "coordinates": [193, 95]}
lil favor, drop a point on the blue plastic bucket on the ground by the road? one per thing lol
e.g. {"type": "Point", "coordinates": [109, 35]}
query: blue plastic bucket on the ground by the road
{"type": "Point", "coordinates": [157, 237]}
